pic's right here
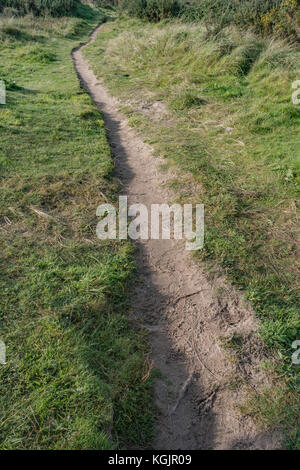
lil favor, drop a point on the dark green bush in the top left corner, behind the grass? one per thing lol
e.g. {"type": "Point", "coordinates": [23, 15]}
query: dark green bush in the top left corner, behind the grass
{"type": "Point", "coordinates": [40, 7]}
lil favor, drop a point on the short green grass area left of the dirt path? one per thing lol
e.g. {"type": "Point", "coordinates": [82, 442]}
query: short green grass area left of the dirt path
{"type": "Point", "coordinates": [73, 378]}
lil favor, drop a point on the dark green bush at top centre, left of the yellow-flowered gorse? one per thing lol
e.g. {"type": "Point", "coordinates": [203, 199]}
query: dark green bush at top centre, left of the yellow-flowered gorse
{"type": "Point", "coordinates": [152, 10]}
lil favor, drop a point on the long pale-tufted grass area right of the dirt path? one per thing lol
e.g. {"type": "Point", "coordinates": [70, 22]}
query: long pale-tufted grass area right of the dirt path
{"type": "Point", "coordinates": [233, 129]}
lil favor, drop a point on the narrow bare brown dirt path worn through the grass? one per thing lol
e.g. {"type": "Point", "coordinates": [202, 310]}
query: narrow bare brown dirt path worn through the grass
{"type": "Point", "coordinates": [188, 314]}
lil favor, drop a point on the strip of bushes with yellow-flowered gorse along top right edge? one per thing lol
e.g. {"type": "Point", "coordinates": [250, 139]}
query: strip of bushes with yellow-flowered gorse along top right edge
{"type": "Point", "coordinates": [279, 17]}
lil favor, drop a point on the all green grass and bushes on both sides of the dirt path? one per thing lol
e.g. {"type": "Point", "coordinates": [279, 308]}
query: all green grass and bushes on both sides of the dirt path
{"type": "Point", "coordinates": [74, 377]}
